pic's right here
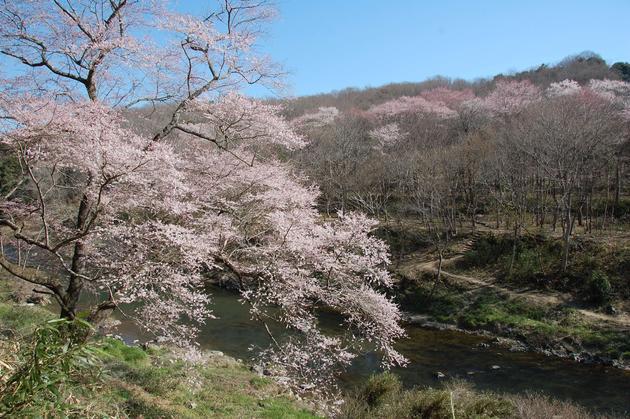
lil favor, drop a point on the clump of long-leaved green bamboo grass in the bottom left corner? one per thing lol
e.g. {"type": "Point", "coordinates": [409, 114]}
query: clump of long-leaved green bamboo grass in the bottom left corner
{"type": "Point", "coordinates": [55, 356]}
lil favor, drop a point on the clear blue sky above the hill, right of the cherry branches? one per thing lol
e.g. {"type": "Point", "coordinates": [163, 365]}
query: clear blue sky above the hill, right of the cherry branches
{"type": "Point", "coordinates": [332, 44]}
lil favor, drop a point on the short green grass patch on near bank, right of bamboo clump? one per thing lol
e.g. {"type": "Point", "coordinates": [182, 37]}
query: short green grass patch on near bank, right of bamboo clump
{"type": "Point", "coordinates": [219, 387]}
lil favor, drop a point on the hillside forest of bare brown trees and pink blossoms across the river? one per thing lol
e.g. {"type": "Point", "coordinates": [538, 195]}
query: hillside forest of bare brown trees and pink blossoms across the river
{"type": "Point", "coordinates": [546, 148]}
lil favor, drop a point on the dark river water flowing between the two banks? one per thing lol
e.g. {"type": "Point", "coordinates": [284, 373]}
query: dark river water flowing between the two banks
{"type": "Point", "coordinates": [455, 354]}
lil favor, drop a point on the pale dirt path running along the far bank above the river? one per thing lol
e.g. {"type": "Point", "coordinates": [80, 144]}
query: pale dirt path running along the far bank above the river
{"type": "Point", "coordinates": [411, 268]}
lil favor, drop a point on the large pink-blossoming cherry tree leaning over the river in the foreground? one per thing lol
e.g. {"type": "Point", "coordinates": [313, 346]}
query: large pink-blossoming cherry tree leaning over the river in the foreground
{"type": "Point", "coordinates": [132, 215]}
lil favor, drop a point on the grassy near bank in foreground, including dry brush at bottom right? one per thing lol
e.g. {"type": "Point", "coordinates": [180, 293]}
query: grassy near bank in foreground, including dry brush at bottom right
{"type": "Point", "coordinates": [158, 382]}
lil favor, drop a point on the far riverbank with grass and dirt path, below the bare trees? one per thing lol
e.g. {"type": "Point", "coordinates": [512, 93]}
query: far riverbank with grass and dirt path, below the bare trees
{"type": "Point", "coordinates": [517, 290]}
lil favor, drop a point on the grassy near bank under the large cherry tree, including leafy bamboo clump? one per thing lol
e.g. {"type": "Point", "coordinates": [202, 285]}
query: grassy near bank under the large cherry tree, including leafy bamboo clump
{"type": "Point", "coordinates": [45, 373]}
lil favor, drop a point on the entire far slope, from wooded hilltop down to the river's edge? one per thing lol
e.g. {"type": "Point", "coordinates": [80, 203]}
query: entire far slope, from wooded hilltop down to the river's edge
{"type": "Point", "coordinates": [505, 202]}
